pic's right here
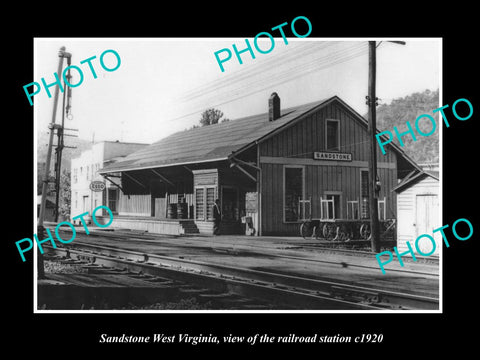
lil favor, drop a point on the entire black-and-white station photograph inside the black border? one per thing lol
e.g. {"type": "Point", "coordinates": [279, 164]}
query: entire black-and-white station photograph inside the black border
{"type": "Point", "coordinates": [239, 180]}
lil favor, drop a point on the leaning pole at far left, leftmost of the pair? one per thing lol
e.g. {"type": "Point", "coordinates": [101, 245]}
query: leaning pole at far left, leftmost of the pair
{"type": "Point", "coordinates": [40, 229]}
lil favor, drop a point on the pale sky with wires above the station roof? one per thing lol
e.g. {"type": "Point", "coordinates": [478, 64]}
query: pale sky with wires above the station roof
{"type": "Point", "coordinates": [164, 84]}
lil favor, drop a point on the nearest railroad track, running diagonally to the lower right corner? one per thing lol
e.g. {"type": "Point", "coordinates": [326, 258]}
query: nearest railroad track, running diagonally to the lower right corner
{"type": "Point", "coordinates": [279, 290]}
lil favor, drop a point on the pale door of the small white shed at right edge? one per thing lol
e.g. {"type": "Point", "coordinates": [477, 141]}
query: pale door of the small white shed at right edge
{"type": "Point", "coordinates": [426, 221]}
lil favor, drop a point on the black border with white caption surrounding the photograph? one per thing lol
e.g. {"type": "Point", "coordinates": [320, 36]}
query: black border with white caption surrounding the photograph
{"type": "Point", "coordinates": [406, 334]}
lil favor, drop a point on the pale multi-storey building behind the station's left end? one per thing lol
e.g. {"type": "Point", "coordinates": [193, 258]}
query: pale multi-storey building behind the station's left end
{"type": "Point", "coordinates": [84, 171]}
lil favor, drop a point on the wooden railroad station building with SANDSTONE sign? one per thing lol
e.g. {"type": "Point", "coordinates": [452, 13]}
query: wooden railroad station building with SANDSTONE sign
{"type": "Point", "coordinates": [270, 171]}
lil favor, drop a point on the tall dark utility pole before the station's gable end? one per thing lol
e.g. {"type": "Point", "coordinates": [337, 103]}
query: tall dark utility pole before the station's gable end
{"type": "Point", "coordinates": [372, 128]}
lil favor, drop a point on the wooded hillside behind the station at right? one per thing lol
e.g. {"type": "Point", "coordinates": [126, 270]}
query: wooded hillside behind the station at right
{"type": "Point", "coordinates": [408, 108]}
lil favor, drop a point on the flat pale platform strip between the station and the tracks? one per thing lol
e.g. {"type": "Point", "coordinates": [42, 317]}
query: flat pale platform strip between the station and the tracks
{"type": "Point", "coordinates": [313, 249]}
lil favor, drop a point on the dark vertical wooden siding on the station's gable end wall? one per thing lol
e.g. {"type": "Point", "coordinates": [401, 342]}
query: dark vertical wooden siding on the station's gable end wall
{"type": "Point", "coordinates": [295, 146]}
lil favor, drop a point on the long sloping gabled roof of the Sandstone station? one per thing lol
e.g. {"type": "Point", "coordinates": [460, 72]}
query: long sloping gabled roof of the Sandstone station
{"type": "Point", "coordinates": [220, 141]}
